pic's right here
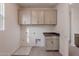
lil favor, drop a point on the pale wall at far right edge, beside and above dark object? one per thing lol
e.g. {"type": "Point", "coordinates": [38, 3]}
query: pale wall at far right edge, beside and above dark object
{"type": "Point", "coordinates": [74, 23]}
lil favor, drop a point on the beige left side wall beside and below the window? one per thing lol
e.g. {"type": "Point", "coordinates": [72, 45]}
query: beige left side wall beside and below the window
{"type": "Point", "coordinates": [9, 38]}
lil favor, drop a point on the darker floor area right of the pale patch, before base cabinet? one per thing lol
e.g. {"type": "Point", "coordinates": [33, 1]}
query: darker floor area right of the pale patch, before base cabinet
{"type": "Point", "coordinates": [39, 51]}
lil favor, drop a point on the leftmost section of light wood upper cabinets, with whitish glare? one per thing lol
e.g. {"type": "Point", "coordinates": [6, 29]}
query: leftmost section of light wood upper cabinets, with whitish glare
{"type": "Point", "coordinates": [25, 17]}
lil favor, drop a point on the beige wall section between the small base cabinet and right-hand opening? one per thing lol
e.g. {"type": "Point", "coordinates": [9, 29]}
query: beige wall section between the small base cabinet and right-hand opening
{"type": "Point", "coordinates": [63, 27]}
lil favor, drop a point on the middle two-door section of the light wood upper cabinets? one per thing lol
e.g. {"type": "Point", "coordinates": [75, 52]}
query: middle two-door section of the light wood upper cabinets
{"type": "Point", "coordinates": [37, 17]}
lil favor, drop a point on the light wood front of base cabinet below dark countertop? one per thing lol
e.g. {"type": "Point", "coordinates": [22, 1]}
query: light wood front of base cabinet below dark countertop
{"type": "Point", "coordinates": [52, 44]}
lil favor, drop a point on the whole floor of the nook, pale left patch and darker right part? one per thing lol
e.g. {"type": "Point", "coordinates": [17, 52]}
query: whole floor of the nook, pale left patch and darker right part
{"type": "Point", "coordinates": [34, 51]}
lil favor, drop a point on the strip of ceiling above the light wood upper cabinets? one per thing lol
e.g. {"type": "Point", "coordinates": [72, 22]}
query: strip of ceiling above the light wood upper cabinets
{"type": "Point", "coordinates": [36, 5]}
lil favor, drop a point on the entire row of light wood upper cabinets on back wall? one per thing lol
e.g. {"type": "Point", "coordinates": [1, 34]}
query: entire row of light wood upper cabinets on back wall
{"type": "Point", "coordinates": [38, 16]}
